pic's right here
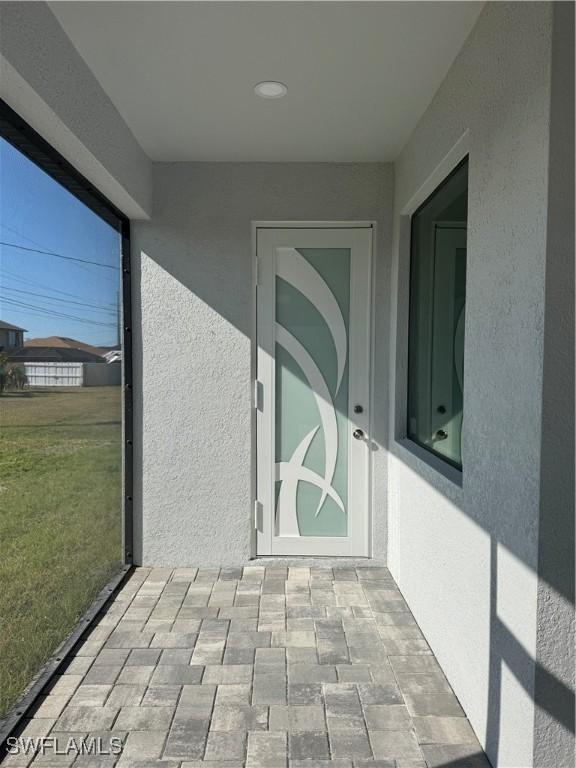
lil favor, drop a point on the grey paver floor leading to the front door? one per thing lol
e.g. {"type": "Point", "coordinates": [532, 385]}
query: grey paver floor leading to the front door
{"type": "Point", "coordinates": [257, 667]}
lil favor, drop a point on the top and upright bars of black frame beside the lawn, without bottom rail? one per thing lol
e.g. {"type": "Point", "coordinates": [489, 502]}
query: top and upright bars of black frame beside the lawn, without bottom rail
{"type": "Point", "coordinates": [15, 130]}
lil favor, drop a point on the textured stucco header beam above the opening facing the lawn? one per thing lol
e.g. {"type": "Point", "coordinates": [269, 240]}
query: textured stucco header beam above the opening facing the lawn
{"type": "Point", "coordinates": [47, 82]}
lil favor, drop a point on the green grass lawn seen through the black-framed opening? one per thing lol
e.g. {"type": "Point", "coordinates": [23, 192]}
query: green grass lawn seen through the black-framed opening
{"type": "Point", "coordinates": [60, 519]}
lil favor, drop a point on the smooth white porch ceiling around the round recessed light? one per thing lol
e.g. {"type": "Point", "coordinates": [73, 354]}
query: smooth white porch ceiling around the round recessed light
{"type": "Point", "coordinates": [359, 74]}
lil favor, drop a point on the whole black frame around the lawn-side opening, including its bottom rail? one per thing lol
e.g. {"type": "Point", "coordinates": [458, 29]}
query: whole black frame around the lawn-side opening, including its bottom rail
{"type": "Point", "coordinates": [15, 130]}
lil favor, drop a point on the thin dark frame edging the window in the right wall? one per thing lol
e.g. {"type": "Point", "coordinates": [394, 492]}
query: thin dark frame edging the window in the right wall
{"type": "Point", "coordinates": [410, 437]}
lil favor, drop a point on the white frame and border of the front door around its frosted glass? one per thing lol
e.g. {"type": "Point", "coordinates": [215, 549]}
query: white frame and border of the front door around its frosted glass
{"type": "Point", "coordinates": [358, 543]}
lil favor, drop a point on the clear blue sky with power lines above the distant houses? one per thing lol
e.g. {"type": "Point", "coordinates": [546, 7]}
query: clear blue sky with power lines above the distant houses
{"type": "Point", "coordinates": [47, 294]}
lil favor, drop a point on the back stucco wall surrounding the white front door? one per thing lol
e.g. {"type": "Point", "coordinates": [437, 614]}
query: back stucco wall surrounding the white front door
{"type": "Point", "coordinates": [193, 302]}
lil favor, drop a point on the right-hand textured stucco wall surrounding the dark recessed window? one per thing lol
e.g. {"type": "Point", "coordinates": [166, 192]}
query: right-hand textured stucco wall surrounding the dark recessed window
{"type": "Point", "coordinates": [465, 550]}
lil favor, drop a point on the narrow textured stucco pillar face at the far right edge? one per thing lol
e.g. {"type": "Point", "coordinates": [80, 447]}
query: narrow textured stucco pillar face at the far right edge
{"type": "Point", "coordinates": [556, 647]}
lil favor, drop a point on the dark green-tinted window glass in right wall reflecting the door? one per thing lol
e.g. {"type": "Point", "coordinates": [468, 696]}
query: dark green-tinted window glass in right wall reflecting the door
{"type": "Point", "coordinates": [437, 308]}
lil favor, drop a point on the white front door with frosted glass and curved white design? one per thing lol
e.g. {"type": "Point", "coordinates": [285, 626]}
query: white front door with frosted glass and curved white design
{"type": "Point", "coordinates": [313, 393]}
